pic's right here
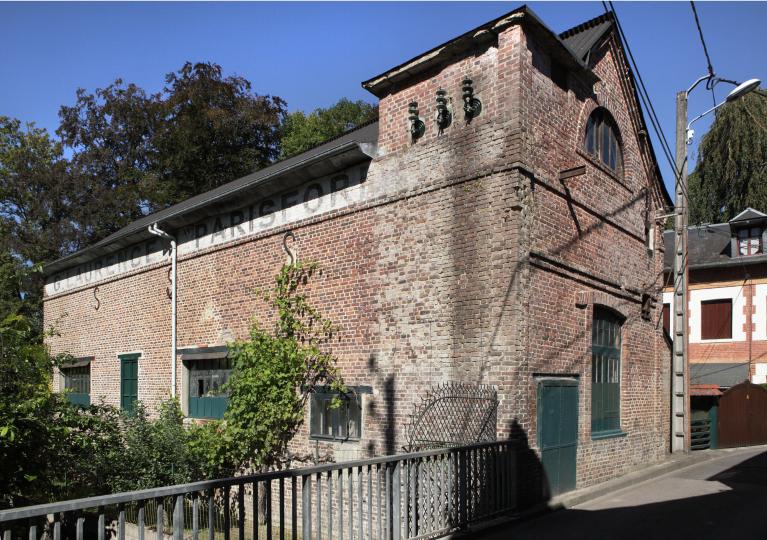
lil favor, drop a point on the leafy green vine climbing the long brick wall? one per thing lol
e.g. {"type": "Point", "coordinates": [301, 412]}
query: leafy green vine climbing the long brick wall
{"type": "Point", "coordinates": [273, 375]}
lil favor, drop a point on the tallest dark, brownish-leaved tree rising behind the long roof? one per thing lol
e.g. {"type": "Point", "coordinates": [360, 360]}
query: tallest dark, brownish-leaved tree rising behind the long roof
{"type": "Point", "coordinates": [214, 129]}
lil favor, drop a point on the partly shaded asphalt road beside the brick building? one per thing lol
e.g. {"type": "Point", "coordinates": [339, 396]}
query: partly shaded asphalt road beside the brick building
{"type": "Point", "coordinates": [719, 499]}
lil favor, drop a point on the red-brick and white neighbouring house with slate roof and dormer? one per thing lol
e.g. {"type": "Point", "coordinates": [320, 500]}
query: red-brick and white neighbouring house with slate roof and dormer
{"type": "Point", "coordinates": [727, 308]}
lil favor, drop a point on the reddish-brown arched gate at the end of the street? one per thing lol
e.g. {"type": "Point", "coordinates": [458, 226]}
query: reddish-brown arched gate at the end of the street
{"type": "Point", "coordinates": [742, 416]}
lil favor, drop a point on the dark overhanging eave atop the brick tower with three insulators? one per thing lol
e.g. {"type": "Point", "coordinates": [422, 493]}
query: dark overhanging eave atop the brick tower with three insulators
{"type": "Point", "coordinates": [381, 84]}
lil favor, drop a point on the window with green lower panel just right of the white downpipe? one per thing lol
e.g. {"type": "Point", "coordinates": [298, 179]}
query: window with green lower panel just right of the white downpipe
{"type": "Point", "coordinates": [207, 395]}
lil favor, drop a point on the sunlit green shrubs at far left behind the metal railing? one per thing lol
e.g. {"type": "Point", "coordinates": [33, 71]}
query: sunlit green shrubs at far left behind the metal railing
{"type": "Point", "coordinates": [49, 449]}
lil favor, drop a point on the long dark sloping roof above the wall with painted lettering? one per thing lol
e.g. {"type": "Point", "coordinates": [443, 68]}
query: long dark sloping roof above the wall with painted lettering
{"type": "Point", "coordinates": [352, 147]}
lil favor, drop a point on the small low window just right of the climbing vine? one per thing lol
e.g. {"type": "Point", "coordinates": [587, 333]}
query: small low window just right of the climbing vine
{"type": "Point", "coordinates": [343, 423]}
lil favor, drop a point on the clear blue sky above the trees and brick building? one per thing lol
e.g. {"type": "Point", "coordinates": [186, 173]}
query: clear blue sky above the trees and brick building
{"type": "Point", "coordinates": [311, 54]}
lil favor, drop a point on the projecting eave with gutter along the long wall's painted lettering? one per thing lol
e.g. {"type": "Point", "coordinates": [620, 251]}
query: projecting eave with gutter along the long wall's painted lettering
{"type": "Point", "coordinates": [355, 151]}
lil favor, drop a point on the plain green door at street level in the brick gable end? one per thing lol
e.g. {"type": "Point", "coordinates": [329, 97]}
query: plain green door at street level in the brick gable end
{"type": "Point", "coordinates": [558, 432]}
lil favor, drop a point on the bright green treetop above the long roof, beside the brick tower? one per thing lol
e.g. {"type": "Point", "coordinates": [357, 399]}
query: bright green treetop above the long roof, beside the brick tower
{"type": "Point", "coordinates": [303, 131]}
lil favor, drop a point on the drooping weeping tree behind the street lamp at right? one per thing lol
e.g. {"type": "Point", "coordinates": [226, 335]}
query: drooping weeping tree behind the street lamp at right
{"type": "Point", "coordinates": [731, 173]}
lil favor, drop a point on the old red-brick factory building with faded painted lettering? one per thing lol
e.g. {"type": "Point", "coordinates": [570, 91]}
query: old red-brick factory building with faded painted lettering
{"type": "Point", "coordinates": [513, 246]}
